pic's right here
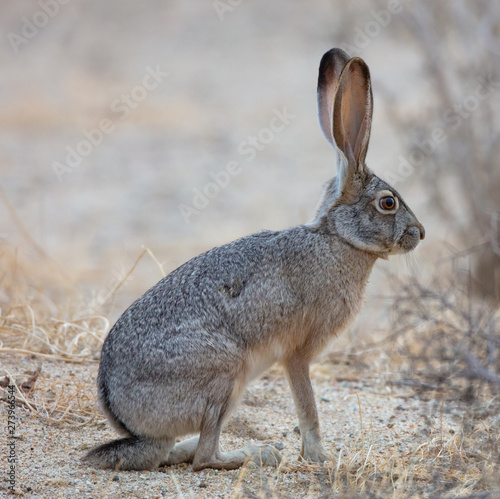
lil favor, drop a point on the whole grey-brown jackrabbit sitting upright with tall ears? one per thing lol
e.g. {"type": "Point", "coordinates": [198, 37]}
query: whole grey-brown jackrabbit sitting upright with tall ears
{"type": "Point", "coordinates": [179, 359]}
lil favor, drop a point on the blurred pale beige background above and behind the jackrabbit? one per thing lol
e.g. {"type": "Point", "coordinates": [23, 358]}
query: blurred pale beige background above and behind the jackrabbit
{"type": "Point", "coordinates": [121, 120]}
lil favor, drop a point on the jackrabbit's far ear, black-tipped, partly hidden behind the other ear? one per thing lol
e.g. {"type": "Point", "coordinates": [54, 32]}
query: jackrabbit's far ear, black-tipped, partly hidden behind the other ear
{"type": "Point", "coordinates": [330, 69]}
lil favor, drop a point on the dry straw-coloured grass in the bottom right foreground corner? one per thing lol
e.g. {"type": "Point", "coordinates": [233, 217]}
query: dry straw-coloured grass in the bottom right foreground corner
{"type": "Point", "coordinates": [437, 462]}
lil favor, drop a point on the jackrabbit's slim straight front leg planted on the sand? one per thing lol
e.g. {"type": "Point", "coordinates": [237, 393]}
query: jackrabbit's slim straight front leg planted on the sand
{"type": "Point", "coordinates": [297, 368]}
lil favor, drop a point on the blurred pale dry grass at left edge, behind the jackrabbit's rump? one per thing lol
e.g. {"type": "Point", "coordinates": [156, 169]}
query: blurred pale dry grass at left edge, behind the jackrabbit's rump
{"type": "Point", "coordinates": [41, 312]}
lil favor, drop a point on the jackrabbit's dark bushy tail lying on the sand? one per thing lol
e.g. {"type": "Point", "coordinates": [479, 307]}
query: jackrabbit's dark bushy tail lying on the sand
{"type": "Point", "coordinates": [132, 453]}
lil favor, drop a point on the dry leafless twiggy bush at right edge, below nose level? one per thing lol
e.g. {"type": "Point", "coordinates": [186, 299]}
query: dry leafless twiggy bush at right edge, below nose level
{"type": "Point", "coordinates": [448, 341]}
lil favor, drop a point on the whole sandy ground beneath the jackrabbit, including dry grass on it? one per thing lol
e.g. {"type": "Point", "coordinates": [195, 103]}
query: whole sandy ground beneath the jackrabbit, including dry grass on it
{"type": "Point", "coordinates": [379, 438]}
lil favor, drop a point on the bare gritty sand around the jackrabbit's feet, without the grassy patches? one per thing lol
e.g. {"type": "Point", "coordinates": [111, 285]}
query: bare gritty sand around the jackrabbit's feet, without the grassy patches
{"type": "Point", "coordinates": [394, 425]}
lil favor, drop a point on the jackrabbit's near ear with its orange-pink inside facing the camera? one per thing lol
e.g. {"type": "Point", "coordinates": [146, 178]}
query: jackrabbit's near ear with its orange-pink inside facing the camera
{"type": "Point", "coordinates": [352, 114]}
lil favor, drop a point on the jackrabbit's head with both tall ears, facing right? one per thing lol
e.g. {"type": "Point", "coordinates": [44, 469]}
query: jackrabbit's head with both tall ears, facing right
{"type": "Point", "coordinates": [357, 205]}
